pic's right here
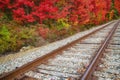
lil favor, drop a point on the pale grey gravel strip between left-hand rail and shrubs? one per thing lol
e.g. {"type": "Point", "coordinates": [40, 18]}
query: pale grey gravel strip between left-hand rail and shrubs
{"type": "Point", "coordinates": [38, 52]}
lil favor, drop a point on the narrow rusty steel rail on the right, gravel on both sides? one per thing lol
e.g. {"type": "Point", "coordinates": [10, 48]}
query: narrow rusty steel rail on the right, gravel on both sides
{"type": "Point", "coordinates": [88, 73]}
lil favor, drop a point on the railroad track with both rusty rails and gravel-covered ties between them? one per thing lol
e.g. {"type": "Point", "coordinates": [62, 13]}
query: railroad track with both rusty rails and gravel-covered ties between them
{"type": "Point", "coordinates": [74, 61]}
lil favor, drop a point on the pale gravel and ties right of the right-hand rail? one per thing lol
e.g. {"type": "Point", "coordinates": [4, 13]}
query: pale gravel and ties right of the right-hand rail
{"type": "Point", "coordinates": [109, 66]}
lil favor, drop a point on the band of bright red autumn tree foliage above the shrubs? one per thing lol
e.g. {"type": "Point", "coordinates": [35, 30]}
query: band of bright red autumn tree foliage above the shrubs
{"type": "Point", "coordinates": [76, 11]}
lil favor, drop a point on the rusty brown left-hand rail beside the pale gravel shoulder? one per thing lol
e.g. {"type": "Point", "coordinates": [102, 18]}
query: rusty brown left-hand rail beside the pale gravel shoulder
{"type": "Point", "coordinates": [19, 71]}
